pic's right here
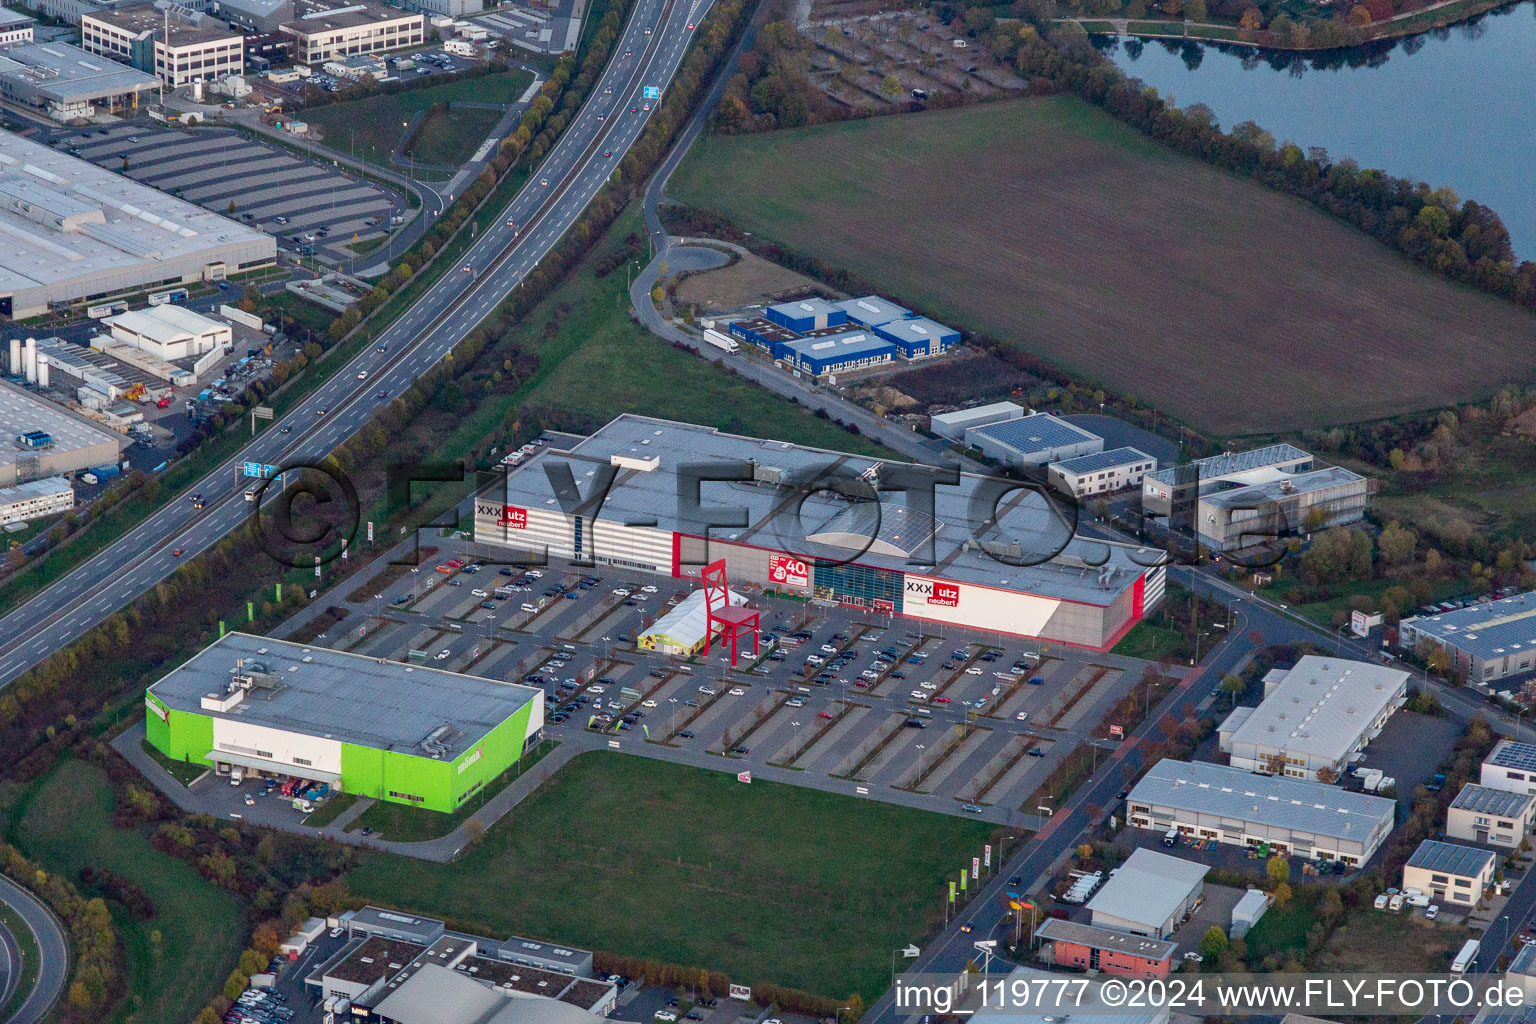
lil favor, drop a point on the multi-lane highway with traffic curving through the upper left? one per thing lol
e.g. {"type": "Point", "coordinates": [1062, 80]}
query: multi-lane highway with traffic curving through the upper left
{"type": "Point", "coordinates": [647, 55]}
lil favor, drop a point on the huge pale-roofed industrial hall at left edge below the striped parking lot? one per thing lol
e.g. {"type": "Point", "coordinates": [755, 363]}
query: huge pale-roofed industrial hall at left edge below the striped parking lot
{"type": "Point", "coordinates": [76, 231]}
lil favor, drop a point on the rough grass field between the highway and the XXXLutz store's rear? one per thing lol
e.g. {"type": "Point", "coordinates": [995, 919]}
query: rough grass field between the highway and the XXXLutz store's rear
{"type": "Point", "coordinates": [598, 363]}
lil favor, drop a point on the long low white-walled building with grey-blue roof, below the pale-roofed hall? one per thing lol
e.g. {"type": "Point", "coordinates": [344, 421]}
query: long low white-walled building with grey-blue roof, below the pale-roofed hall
{"type": "Point", "coordinates": [1291, 816]}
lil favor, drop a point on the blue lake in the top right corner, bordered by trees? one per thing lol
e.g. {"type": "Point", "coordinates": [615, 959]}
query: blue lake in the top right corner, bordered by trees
{"type": "Point", "coordinates": [1452, 108]}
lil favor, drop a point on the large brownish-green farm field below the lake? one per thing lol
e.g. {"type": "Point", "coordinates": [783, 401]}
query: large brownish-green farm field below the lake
{"type": "Point", "coordinates": [1048, 225]}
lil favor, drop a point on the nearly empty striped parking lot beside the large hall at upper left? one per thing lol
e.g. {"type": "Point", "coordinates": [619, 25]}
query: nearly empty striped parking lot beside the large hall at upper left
{"type": "Point", "coordinates": [310, 206]}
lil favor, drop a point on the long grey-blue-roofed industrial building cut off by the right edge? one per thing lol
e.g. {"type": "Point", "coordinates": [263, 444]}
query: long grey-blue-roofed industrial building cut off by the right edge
{"type": "Point", "coordinates": [1485, 642]}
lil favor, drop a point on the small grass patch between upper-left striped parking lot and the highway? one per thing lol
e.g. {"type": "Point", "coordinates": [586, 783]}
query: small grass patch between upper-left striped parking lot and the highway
{"type": "Point", "coordinates": [372, 127]}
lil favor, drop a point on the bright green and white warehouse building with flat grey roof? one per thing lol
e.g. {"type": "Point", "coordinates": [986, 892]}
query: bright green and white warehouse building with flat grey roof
{"type": "Point", "coordinates": [369, 727]}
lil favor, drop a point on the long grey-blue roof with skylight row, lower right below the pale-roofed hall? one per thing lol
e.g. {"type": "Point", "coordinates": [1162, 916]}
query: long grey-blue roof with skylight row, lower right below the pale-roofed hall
{"type": "Point", "coordinates": [1276, 801]}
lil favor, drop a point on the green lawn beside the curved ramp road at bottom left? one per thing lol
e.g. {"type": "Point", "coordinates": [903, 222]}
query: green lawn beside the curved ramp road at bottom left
{"type": "Point", "coordinates": [68, 825]}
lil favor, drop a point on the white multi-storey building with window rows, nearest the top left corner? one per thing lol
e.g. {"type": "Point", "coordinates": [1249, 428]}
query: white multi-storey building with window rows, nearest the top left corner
{"type": "Point", "coordinates": [177, 45]}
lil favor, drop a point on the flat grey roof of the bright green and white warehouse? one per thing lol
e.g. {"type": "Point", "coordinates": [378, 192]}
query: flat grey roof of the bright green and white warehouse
{"type": "Point", "coordinates": [348, 698]}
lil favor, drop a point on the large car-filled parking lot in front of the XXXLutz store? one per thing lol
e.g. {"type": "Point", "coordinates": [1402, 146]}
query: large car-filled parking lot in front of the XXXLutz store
{"type": "Point", "coordinates": [842, 698]}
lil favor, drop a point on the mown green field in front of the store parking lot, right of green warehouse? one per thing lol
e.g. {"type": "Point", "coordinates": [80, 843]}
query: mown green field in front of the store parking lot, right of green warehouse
{"type": "Point", "coordinates": [641, 857]}
